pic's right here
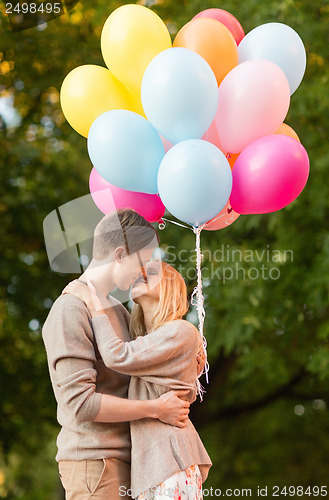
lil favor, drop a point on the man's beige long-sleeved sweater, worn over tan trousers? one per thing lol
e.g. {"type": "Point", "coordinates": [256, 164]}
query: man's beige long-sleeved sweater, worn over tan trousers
{"type": "Point", "coordinates": [79, 377]}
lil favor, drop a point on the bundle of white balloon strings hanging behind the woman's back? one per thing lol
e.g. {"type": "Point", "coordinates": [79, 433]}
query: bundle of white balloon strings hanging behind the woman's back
{"type": "Point", "coordinates": [197, 299]}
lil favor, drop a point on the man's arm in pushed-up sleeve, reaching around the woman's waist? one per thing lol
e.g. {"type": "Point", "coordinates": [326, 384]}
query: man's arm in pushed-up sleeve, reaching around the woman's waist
{"type": "Point", "coordinates": [71, 354]}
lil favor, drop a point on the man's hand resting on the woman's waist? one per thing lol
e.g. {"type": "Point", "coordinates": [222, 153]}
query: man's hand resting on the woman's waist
{"type": "Point", "coordinates": [173, 410]}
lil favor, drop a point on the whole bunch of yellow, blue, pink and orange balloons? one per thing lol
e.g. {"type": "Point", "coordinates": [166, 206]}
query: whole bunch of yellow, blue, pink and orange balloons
{"type": "Point", "coordinates": [194, 126]}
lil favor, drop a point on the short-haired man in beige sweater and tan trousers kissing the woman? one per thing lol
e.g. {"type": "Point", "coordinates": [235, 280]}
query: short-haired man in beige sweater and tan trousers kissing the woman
{"type": "Point", "coordinates": [94, 412]}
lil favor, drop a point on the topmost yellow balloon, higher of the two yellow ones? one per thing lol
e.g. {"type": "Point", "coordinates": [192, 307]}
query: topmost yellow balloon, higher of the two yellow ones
{"type": "Point", "coordinates": [131, 37]}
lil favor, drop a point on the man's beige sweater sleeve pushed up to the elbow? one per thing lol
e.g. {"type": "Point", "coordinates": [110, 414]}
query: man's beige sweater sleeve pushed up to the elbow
{"type": "Point", "coordinates": [67, 336]}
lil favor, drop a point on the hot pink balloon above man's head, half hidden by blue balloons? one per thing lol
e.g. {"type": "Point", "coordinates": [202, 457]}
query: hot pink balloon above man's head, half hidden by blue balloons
{"type": "Point", "coordinates": [108, 197]}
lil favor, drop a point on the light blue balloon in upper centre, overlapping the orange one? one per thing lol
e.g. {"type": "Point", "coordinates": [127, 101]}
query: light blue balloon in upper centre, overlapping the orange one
{"type": "Point", "coordinates": [179, 94]}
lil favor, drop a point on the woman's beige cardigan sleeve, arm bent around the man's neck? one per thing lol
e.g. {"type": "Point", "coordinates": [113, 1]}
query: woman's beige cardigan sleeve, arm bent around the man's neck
{"type": "Point", "coordinates": [148, 354]}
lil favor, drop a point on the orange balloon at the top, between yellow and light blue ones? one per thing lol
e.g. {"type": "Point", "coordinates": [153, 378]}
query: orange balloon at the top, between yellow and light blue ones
{"type": "Point", "coordinates": [213, 41]}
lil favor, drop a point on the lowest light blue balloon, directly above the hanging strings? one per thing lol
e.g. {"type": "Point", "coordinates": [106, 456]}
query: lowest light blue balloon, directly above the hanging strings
{"type": "Point", "coordinates": [194, 181]}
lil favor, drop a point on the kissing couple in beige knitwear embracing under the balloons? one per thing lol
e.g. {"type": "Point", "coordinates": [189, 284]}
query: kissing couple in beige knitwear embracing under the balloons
{"type": "Point", "coordinates": [124, 383]}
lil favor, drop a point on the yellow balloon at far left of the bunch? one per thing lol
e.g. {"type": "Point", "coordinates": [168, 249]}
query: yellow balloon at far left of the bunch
{"type": "Point", "coordinates": [87, 92]}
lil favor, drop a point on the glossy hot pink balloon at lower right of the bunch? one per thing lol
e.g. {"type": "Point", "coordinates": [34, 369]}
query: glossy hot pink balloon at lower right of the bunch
{"type": "Point", "coordinates": [268, 175]}
